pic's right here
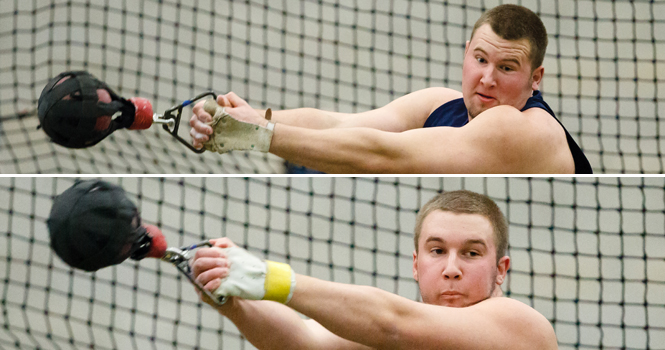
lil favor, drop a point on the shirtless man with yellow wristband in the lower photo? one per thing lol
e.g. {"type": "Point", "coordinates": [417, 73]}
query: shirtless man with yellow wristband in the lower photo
{"type": "Point", "coordinates": [459, 263]}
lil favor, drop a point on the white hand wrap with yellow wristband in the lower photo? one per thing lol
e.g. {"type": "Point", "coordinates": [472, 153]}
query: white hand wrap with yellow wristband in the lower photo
{"type": "Point", "coordinates": [252, 278]}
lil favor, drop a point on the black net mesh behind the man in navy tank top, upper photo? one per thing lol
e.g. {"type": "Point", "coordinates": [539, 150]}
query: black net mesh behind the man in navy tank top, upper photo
{"type": "Point", "coordinates": [604, 69]}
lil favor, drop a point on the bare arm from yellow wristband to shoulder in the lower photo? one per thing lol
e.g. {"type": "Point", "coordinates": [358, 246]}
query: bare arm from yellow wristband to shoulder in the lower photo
{"type": "Point", "coordinates": [383, 320]}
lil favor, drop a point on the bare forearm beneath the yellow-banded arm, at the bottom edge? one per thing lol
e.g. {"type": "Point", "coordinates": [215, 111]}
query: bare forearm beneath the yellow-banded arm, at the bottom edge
{"type": "Point", "coordinates": [269, 325]}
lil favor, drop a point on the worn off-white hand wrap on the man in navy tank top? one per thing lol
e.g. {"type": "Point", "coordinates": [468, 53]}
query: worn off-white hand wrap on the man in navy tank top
{"type": "Point", "coordinates": [231, 134]}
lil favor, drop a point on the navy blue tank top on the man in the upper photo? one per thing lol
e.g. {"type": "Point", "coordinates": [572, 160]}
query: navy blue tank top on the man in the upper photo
{"type": "Point", "coordinates": [455, 114]}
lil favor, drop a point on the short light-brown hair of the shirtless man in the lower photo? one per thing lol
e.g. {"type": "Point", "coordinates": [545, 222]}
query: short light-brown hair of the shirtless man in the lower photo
{"type": "Point", "coordinates": [467, 202]}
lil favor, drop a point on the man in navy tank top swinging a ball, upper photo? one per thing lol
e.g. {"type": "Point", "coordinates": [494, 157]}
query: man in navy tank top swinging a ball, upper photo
{"type": "Point", "coordinates": [497, 124]}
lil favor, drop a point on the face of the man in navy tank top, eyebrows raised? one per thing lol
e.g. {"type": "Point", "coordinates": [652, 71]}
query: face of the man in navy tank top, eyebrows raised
{"type": "Point", "coordinates": [497, 72]}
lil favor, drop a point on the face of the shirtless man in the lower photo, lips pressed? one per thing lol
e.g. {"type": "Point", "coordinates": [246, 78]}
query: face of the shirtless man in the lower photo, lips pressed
{"type": "Point", "coordinates": [456, 260]}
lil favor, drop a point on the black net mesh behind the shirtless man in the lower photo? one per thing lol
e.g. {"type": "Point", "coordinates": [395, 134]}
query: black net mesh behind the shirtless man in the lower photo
{"type": "Point", "coordinates": [589, 254]}
